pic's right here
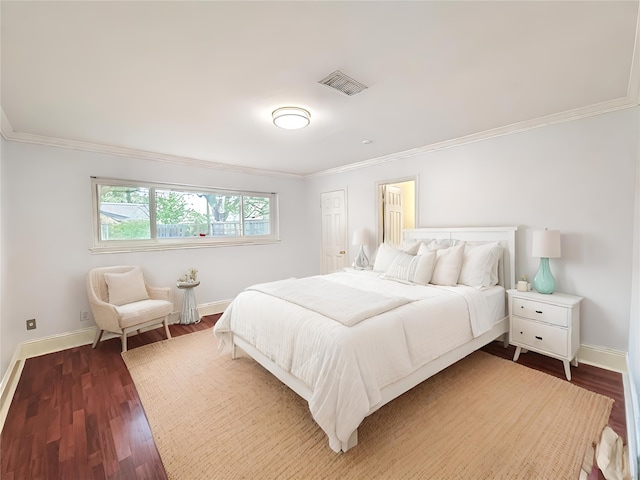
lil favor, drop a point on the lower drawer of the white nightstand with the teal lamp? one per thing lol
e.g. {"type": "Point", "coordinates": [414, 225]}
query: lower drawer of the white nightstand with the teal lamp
{"type": "Point", "coordinates": [538, 336]}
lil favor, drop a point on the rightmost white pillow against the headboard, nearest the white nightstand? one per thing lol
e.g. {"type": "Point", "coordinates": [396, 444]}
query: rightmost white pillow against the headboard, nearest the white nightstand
{"type": "Point", "coordinates": [480, 265]}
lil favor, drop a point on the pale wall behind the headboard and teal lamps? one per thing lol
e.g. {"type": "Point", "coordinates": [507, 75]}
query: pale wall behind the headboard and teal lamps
{"type": "Point", "coordinates": [578, 177]}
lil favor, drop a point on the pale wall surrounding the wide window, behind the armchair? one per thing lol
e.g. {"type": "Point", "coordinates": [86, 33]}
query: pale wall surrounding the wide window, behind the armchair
{"type": "Point", "coordinates": [46, 225]}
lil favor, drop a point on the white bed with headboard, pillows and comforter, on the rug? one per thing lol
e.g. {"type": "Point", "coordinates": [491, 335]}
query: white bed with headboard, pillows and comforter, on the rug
{"type": "Point", "coordinates": [352, 341]}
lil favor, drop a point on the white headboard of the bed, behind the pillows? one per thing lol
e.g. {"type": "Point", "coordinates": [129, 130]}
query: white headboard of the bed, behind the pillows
{"type": "Point", "coordinates": [505, 235]}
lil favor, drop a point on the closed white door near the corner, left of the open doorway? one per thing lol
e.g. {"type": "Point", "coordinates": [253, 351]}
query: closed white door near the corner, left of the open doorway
{"type": "Point", "coordinates": [334, 231]}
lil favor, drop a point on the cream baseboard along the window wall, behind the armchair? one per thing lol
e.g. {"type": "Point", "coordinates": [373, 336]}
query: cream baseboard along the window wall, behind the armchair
{"type": "Point", "coordinates": [63, 341]}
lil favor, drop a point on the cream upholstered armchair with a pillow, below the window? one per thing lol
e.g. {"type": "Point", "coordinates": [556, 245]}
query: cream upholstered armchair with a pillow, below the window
{"type": "Point", "coordinates": [122, 302]}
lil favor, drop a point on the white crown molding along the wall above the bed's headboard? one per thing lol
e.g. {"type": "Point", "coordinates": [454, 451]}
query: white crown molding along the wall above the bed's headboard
{"type": "Point", "coordinates": [570, 115]}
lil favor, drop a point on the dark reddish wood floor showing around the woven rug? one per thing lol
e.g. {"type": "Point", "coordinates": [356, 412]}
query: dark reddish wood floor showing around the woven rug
{"type": "Point", "coordinates": [76, 413]}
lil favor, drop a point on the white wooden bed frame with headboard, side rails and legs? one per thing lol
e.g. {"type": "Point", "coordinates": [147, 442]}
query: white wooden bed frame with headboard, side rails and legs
{"type": "Point", "coordinates": [506, 274]}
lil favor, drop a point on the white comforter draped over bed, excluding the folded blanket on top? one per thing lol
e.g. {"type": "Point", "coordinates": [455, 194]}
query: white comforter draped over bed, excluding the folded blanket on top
{"type": "Point", "coordinates": [346, 367]}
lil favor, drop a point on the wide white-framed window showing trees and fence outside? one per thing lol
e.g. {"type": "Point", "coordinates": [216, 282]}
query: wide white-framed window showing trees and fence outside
{"type": "Point", "coordinates": [144, 216]}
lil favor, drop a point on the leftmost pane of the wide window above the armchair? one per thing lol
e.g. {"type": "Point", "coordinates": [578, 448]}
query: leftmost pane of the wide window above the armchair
{"type": "Point", "coordinates": [124, 213]}
